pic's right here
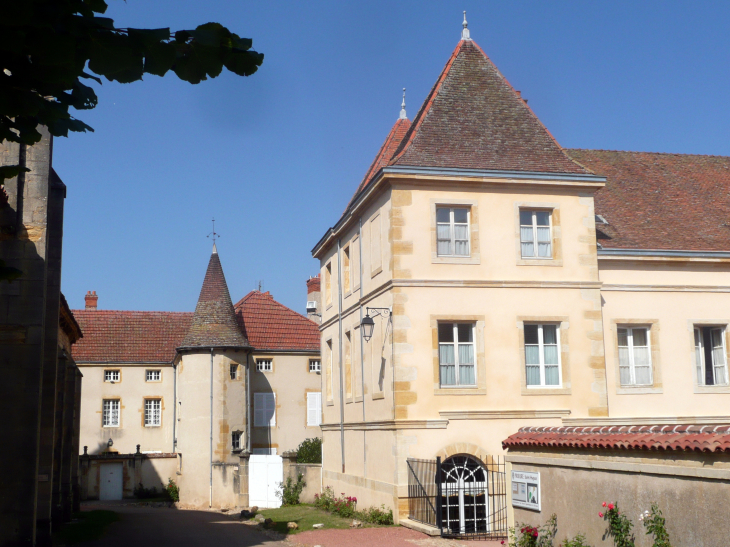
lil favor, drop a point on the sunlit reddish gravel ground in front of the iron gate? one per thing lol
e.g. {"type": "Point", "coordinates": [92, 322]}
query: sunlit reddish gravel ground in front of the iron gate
{"type": "Point", "coordinates": [379, 537]}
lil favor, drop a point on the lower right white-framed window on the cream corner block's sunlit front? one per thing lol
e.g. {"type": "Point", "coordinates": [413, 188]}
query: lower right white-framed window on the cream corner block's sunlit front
{"type": "Point", "coordinates": [542, 355]}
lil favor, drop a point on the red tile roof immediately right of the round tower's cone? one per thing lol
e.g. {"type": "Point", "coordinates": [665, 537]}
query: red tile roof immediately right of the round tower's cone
{"type": "Point", "coordinates": [270, 325]}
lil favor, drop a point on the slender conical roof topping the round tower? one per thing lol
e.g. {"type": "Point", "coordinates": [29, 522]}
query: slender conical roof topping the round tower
{"type": "Point", "coordinates": [214, 322]}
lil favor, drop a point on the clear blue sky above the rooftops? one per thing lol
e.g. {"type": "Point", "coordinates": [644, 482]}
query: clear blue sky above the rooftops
{"type": "Point", "coordinates": [275, 157]}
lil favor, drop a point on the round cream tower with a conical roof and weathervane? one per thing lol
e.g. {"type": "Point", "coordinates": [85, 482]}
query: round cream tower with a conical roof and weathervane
{"type": "Point", "coordinates": [211, 396]}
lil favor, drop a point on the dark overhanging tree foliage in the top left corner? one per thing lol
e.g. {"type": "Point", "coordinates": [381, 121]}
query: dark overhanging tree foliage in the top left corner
{"type": "Point", "coordinates": [49, 48]}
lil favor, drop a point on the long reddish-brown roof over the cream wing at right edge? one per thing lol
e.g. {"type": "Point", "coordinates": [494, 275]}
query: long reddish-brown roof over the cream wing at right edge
{"type": "Point", "coordinates": [661, 201]}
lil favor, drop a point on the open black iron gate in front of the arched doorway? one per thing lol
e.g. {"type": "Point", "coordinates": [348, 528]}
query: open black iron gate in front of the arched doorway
{"type": "Point", "coordinates": [462, 496]}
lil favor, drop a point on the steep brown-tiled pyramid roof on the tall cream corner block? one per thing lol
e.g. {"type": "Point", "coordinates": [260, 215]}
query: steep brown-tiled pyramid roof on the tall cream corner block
{"type": "Point", "coordinates": [474, 119]}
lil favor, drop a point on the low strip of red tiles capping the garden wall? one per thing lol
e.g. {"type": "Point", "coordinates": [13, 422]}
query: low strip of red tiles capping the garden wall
{"type": "Point", "coordinates": [697, 438]}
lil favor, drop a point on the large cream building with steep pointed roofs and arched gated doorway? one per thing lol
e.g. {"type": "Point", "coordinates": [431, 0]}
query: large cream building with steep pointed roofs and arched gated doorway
{"type": "Point", "coordinates": [483, 279]}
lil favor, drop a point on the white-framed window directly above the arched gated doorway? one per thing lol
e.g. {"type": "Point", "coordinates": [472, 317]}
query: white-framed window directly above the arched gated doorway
{"type": "Point", "coordinates": [456, 354]}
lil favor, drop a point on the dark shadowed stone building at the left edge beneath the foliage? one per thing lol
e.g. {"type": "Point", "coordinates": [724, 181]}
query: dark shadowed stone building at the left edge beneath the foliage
{"type": "Point", "coordinates": [38, 397]}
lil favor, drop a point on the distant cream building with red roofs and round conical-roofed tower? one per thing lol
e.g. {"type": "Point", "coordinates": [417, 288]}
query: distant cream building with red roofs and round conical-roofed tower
{"type": "Point", "coordinates": [192, 395]}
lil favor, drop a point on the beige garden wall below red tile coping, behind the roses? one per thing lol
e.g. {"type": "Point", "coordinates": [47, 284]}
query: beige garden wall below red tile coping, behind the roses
{"type": "Point", "coordinates": [691, 489]}
